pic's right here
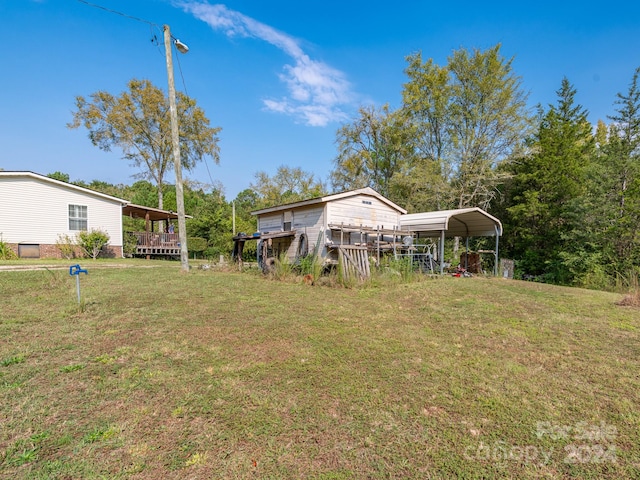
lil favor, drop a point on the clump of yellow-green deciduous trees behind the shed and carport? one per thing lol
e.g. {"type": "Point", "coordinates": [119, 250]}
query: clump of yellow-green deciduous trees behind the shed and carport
{"type": "Point", "coordinates": [457, 123]}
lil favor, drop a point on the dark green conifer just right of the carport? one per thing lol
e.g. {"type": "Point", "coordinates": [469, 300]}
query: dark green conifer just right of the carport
{"type": "Point", "coordinates": [546, 221]}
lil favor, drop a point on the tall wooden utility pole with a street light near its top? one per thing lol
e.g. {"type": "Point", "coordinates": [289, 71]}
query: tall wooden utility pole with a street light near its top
{"type": "Point", "coordinates": [175, 137]}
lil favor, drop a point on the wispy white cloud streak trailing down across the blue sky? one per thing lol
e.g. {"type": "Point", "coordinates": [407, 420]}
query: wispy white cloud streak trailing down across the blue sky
{"type": "Point", "coordinates": [316, 91]}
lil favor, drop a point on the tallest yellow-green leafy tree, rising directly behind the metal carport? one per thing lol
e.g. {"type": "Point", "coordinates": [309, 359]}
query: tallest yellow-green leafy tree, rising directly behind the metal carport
{"type": "Point", "coordinates": [470, 116]}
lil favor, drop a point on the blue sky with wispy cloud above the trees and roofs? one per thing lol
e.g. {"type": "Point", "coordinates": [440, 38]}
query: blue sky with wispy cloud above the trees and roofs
{"type": "Point", "coordinates": [280, 77]}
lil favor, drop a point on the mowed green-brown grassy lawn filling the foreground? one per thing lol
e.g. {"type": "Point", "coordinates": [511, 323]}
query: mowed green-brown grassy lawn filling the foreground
{"type": "Point", "coordinates": [228, 375]}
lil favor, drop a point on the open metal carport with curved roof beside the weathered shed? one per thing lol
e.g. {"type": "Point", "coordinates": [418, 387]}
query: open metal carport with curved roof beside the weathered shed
{"type": "Point", "coordinates": [464, 222]}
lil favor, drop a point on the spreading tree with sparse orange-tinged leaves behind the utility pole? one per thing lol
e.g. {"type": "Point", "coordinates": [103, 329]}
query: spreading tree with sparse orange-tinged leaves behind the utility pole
{"type": "Point", "coordinates": [137, 122]}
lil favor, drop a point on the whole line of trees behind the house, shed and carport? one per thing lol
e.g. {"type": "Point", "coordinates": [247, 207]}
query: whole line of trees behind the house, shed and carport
{"type": "Point", "coordinates": [566, 191]}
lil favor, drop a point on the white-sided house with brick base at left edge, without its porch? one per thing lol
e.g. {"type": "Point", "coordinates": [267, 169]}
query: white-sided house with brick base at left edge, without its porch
{"type": "Point", "coordinates": [38, 210]}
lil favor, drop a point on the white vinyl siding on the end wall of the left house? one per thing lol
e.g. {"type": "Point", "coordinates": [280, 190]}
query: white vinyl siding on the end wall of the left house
{"type": "Point", "coordinates": [36, 211]}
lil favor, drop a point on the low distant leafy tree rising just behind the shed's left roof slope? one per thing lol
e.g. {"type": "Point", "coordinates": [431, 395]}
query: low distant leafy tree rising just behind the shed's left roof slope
{"type": "Point", "coordinates": [286, 186]}
